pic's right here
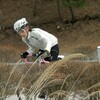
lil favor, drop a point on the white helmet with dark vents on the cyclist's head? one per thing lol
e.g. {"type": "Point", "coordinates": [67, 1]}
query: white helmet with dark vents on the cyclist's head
{"type": "Point", "coordinates": [18, 25]}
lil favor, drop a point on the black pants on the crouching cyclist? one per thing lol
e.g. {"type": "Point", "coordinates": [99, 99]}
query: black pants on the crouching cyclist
{"type": "Point", "coordinates": [54, 53]}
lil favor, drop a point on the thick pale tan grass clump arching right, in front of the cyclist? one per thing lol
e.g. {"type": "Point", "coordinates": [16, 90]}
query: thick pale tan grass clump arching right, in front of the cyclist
{"type": "Point", "coordinates": [47, 74]}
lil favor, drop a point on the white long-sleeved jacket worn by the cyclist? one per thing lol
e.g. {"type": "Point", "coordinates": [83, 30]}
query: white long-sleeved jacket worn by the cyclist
{"type": "Point", "coordinates": [40, 39]}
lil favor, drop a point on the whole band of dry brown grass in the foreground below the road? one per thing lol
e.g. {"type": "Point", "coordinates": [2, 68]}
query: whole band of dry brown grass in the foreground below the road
{"type": "Point", "coordinates": [57, 79]}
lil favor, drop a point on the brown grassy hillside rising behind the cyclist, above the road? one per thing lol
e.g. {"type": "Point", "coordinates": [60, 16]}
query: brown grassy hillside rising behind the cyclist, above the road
{"type": "Point", "coordinates": [79, 35]}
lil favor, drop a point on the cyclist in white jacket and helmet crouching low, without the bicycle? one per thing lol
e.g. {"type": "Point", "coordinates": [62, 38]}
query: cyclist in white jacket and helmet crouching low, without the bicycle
{"type": "Point", "coordinates": [46, 42]}
